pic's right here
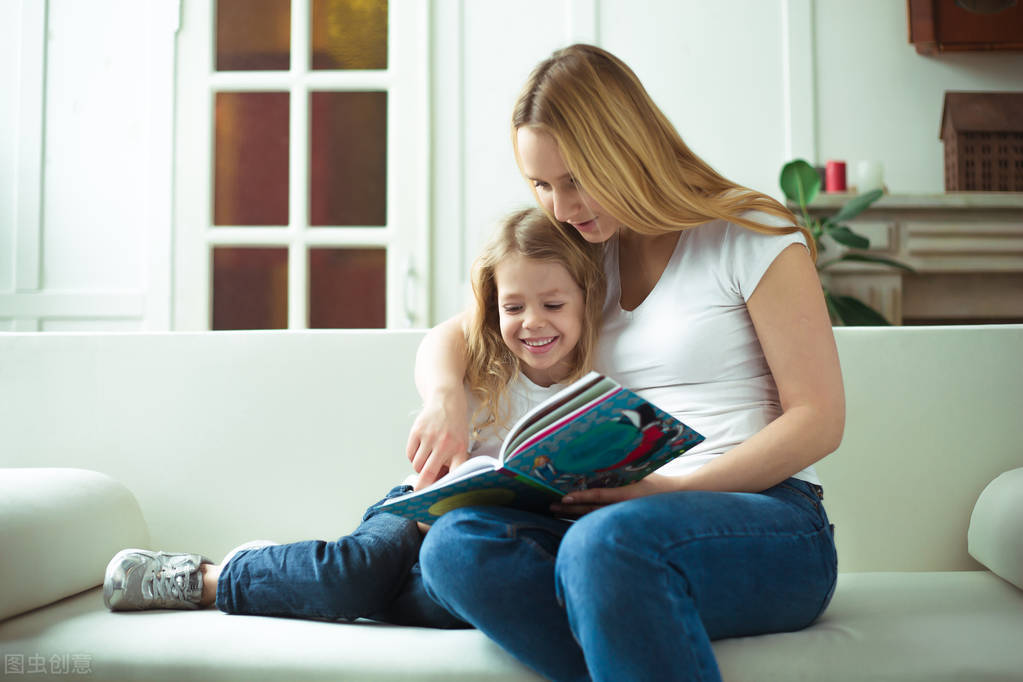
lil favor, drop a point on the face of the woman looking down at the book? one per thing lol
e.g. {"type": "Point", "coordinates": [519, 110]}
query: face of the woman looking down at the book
{"type": "Point", "coordinates": [543, 164]}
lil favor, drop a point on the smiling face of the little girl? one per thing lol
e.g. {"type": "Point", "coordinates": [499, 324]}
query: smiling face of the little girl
{"type": "Point", "coordinates": [542, 312]}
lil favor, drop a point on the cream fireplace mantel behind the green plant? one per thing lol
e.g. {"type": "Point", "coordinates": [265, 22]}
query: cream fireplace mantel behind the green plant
{"type": "Point", "coordinates": [966, 249]}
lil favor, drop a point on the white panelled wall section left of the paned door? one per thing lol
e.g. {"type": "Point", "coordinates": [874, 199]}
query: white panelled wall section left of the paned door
{"type": "Point", "coordinates": [85, 135]}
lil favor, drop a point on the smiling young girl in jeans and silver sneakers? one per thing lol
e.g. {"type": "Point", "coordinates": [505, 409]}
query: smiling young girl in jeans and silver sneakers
{"type": "Point", "coordinates": [539, 292]}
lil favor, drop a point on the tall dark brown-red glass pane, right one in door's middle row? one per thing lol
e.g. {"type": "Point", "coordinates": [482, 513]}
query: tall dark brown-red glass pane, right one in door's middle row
{"type": "Point", "coordinates": [348, 159]}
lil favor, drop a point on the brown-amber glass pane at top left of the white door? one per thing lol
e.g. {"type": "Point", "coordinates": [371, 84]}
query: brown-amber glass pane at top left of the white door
{"type": "Point", "coordinates": [254, 35]}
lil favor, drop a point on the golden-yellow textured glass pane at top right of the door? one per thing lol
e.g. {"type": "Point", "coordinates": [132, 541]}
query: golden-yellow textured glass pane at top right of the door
{"type": "Point", "coordinates": [349, 34]}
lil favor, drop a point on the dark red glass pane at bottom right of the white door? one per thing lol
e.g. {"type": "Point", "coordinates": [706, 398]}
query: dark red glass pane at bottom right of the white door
{"type": "Point", "coordinates": [347, 289]}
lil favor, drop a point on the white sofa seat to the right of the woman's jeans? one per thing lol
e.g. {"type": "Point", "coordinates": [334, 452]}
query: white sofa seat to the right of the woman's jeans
{"type": "Point", "coordinates": [936, 626]}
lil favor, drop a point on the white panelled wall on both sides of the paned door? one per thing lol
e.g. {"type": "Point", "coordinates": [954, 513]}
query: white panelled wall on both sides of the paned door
{"type": "Point", "coordinates": [749, 83]}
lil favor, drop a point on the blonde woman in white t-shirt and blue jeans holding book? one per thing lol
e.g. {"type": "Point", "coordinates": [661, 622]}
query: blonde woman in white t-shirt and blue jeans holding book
{"type": "Point", "coordinates": [715, 312]}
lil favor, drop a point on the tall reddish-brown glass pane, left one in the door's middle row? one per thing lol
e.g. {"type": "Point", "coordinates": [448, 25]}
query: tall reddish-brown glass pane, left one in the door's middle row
{"type": "Point", "coordinates": [251, 159]}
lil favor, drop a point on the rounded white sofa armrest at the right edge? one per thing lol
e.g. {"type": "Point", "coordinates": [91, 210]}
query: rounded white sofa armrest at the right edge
{"type": "Point", "coordinates": [996, 536]}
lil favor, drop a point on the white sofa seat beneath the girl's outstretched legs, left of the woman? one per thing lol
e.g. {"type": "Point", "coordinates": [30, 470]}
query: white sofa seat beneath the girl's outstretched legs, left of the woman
{"type": "Point", "coordinates": [209, 646]}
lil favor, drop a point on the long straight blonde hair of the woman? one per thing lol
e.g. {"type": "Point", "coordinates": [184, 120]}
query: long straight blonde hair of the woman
{"type": "Point", "coordinates": [622, 150]}
